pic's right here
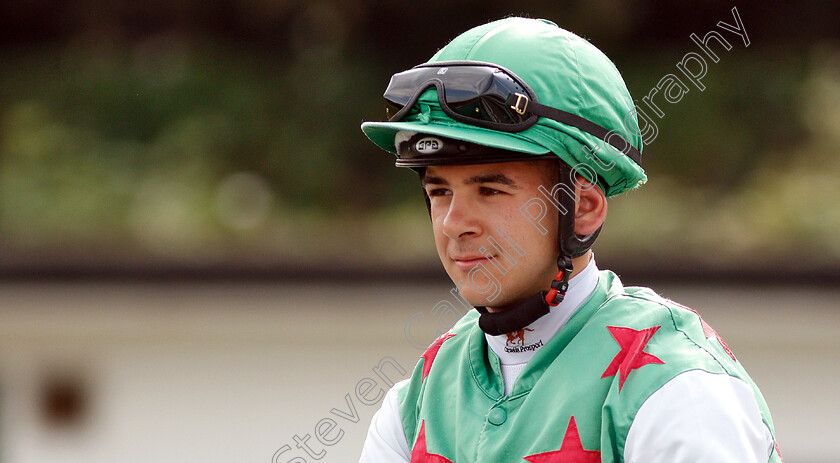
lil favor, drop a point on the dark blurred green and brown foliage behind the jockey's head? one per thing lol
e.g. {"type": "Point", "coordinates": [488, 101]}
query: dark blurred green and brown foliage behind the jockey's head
{"type": "Point", "coordinates": [221, 139]}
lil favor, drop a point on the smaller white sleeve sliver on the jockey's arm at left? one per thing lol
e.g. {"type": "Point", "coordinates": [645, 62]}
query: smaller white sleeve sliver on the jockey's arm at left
{"type": "Point", "coordinates": [385, 442]}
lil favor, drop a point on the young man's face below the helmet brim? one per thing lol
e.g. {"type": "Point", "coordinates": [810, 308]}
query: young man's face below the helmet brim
{"type": "Point", "coordinates": [493, 254]}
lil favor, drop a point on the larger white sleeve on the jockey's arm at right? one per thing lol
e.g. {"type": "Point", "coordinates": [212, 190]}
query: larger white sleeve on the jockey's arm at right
{"type": "Point", "coordinates": [699, 417]}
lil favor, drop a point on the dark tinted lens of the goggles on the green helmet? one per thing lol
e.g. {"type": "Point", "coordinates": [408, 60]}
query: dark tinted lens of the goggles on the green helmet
{"type": "Point", "coordinates": [480, 93]}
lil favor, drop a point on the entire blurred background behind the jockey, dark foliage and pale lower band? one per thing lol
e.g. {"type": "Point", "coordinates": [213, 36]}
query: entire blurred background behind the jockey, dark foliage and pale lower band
{"type": "Point", "coordinates": [195, 237]}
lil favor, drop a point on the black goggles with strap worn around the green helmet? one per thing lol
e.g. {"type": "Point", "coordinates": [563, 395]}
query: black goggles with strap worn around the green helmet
{"type": "Point", "coordinates": [485, 95]}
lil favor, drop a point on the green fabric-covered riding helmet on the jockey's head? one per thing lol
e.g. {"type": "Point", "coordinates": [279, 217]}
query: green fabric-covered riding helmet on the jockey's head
{"type": "Point", "coordinates": [563, 71]}
